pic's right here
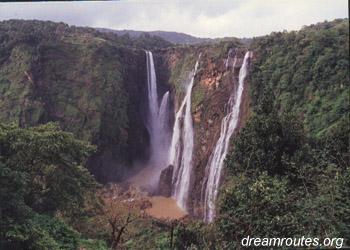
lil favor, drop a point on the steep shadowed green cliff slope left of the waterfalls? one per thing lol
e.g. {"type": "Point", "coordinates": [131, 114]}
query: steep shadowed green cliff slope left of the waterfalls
{"type": "Point", "coordinates": [93, 86]}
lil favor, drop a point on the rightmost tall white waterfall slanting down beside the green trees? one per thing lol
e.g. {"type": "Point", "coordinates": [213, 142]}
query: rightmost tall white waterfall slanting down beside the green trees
{"type": "Point", "coordinates": [216, 160]}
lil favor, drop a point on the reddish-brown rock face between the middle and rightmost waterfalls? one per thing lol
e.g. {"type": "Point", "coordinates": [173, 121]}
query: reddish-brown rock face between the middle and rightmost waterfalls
{"type": "Point", "coordinates": [207, 122]}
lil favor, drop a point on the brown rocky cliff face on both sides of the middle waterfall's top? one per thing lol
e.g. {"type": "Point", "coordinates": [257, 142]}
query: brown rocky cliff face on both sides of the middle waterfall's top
{"type": "Point", "coordinates": [213, 85]}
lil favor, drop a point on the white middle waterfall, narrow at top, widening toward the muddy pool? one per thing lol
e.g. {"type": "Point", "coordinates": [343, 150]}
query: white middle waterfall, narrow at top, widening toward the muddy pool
{"type": "Point", "coordinates": [181, 149]}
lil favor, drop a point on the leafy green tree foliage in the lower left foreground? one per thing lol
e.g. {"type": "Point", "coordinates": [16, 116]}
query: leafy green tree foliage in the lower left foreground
{"type": "Point", "coordinates": [41, 174]}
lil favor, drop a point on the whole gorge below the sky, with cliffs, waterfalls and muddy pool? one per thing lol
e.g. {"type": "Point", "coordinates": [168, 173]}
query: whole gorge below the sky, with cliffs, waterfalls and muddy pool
{"type": "Point", "coordinates": [221, 139]}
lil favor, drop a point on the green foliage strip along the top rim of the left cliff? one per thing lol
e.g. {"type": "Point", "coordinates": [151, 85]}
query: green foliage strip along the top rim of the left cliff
{"type": "Point", "coordinates": [19, 31]}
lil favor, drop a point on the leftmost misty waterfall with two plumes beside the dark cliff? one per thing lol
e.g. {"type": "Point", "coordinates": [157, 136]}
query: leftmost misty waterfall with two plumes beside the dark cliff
{"type": "Point", "coordinates": [157, 120]}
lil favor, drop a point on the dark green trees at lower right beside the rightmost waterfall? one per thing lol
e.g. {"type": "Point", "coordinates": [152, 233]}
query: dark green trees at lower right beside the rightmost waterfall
{"type": "Point", "coordinates": [283, 183]}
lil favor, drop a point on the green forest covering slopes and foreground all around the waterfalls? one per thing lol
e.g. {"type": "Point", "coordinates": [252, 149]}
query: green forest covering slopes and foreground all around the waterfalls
{"type": "Point", "coordinates": [287, 173]}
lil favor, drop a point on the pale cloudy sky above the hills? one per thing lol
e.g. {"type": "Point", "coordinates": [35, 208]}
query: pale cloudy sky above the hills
{"type": "Point", "coordinates": [202, 18]}
